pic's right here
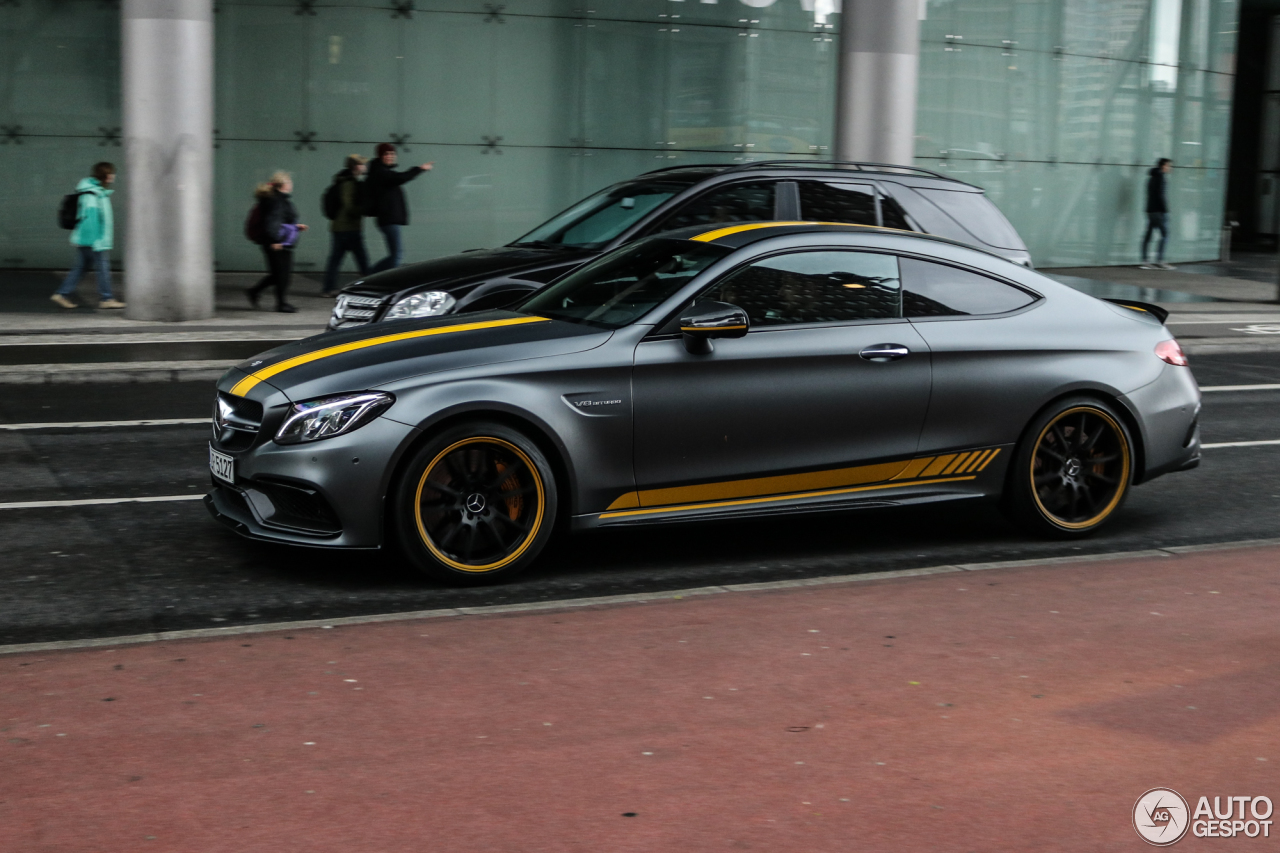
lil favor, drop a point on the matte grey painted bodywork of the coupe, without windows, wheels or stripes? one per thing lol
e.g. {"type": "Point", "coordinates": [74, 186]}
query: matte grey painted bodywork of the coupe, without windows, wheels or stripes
{"type": "Point", "coordinates": [781, 400]}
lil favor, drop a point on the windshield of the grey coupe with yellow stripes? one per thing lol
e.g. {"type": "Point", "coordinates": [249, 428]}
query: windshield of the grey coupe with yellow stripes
{"type": "Point", "coordinates": [625, 285]}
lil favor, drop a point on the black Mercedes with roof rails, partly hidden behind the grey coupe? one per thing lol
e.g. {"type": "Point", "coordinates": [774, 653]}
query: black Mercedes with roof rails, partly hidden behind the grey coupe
{"type": "Point", "coordinates": [866, 194]}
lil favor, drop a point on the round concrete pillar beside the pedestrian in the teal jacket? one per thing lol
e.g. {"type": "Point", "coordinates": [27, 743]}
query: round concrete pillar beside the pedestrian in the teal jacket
{"type": "Point", "coordinates": [168, 127]}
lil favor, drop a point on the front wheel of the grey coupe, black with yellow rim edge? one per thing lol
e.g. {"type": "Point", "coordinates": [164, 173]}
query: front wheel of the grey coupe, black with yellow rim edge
{"type": "Point", "coordinates": [460, 521]}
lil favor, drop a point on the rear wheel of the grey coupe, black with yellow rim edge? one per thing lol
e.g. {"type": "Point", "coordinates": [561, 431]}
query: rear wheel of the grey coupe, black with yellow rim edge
{"type": "Point", "coordinates": [1072, 471]}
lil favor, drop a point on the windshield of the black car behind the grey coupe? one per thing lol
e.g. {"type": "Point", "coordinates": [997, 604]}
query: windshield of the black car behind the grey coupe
{"type": "Point", "coordinates": [597, 221]}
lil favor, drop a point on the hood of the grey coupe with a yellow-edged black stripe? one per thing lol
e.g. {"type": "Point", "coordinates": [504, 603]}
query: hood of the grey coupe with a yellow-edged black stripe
{"type": "Point", "coordinates": [374, 355]}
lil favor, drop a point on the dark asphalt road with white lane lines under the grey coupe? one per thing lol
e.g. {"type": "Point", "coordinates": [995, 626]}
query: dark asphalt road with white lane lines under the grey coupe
{"type": "Point", "coordinates": [71, 573]}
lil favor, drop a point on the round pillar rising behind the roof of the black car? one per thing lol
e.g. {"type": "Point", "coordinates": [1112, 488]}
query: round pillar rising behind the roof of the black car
{"type": "Point", "coordinates": [880, 49]}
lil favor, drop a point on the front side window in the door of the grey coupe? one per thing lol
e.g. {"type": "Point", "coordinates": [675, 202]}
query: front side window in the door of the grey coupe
{"type": "Point", "coordinates": [815, 288]}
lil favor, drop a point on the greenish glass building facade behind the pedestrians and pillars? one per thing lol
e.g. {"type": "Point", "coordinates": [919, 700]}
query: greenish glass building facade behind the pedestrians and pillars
{"type": "Point", "coordinates": [1055, 107]}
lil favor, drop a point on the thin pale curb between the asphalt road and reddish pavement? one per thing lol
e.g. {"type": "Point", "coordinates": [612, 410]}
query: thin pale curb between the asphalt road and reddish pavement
{"type": "Point", "coordinates": [636, 599]}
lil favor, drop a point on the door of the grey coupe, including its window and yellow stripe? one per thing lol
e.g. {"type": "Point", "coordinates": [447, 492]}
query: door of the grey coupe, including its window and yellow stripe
{"type": "Point", "coordinates": [803, 394]}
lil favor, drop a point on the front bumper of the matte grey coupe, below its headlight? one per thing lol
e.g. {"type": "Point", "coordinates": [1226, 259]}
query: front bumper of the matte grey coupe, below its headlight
{"type": "Point", "coordinates": [330, 494]}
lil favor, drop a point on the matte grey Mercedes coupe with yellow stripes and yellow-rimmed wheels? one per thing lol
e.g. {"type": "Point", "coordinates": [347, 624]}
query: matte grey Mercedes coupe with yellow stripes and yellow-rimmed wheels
{"type": "Point", "coordinates": [743, 371]}
